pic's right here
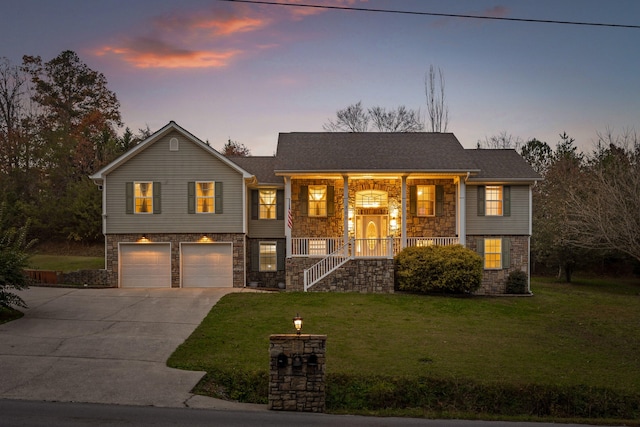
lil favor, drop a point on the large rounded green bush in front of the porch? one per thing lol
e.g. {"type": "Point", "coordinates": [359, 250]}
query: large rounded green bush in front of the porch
{"type": "Point", "coordinates": [451, 269]}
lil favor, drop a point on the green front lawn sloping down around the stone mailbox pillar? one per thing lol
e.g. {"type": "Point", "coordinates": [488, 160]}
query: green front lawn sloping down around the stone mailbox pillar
{"type": "Point", "coordinates": [582, 336]}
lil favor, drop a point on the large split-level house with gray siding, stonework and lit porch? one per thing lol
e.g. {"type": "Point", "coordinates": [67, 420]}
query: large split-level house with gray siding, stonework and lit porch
{"type": "Point", "coordinates": [328, 212]}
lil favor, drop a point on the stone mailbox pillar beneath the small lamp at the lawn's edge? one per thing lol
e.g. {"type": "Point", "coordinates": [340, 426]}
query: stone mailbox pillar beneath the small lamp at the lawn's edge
{"type": "Point", "coordinates": [297, 388]}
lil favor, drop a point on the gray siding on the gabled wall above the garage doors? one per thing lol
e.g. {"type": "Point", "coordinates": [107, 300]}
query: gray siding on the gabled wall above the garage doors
{"type": "Point", "coordinates": [173, 170]}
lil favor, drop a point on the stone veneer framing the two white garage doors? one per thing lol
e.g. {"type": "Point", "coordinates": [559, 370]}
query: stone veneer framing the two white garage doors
{"type": "Point", "coordinates": [175, 240]}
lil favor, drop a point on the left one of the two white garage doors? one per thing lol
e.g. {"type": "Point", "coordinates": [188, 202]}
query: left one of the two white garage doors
{"type": "Point", "coordinates": [145, 265]}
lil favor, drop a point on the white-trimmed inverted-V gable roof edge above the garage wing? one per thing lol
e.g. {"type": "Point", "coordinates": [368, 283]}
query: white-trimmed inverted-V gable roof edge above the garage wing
{"type": "Point", "coordinates": [156, 136]}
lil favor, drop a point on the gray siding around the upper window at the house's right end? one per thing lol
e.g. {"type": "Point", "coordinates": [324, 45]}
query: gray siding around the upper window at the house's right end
{"type": "Point", "coordinates": [516, 223]}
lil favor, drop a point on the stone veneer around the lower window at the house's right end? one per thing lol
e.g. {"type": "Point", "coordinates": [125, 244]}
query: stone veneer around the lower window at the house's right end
{"type": "Point", "coordinates": [494, 282]}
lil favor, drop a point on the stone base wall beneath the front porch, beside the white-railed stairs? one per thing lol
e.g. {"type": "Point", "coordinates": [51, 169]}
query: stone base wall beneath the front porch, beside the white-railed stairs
{"type": "Point", "coordinates": [357, 275]}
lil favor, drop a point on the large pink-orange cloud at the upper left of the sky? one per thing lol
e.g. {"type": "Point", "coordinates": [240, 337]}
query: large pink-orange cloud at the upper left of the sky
{"type": "Point", "coordinates": [208, 38]}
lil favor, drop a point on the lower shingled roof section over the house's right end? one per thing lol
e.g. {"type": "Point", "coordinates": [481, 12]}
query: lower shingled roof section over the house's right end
{"type": "Point", "coordinates": [501, 165]}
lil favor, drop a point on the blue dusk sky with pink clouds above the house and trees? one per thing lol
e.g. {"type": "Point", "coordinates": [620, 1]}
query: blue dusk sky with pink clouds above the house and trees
{"type": "Point", "coordinates": [247, 72]}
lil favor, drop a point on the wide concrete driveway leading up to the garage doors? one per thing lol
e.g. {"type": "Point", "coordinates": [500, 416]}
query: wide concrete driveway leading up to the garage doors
{"type": "Point", "coordinates": [105, 346]}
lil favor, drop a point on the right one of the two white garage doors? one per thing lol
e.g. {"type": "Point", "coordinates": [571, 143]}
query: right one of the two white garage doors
{"type": "Point", "coordinates": [207, 265]}
